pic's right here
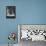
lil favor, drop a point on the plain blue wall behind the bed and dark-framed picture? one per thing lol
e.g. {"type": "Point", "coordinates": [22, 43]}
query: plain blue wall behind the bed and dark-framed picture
{"type": "Point", "coordinates": [27, 12]}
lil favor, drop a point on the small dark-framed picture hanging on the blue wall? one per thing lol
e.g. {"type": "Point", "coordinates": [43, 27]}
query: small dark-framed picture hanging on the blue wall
{"type": "Point", "coordinates": [10, 11]}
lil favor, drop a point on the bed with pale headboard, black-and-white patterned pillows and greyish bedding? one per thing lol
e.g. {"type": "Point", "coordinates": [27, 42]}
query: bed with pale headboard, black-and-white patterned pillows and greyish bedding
{"type": "Point", "coordinates": [31, 34]}
